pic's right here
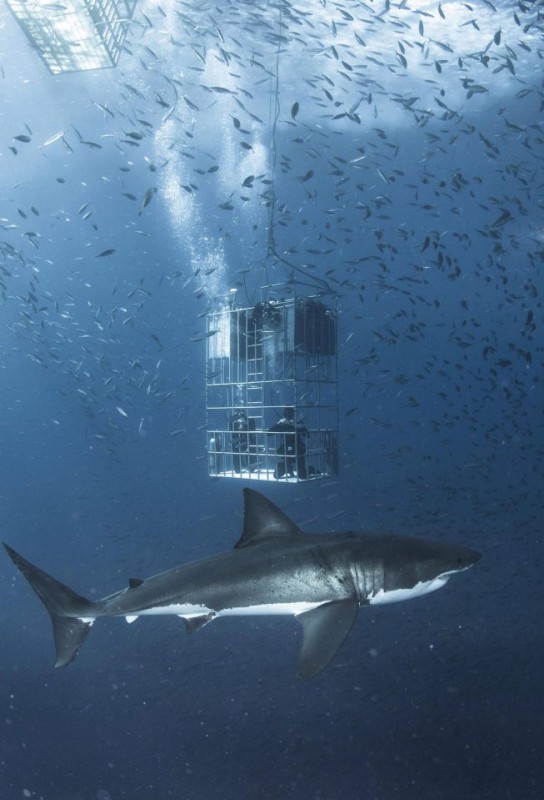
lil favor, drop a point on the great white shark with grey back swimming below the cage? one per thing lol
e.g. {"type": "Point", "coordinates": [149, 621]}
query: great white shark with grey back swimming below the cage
{"type": "Point", "coordinates": [275, 568]}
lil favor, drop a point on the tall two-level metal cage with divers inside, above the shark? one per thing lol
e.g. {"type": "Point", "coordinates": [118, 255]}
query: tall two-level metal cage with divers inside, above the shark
{"type": "Point", "coordinates": [272, 389]}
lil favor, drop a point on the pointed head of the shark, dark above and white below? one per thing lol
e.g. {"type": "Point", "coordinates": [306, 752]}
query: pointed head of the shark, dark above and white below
{"type": "Point", "coordinates": [408, 567]}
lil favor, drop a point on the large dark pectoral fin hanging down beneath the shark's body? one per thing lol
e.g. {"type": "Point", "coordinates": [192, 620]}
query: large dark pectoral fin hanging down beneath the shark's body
{"type": "Point", "coordinates": [324, 631]}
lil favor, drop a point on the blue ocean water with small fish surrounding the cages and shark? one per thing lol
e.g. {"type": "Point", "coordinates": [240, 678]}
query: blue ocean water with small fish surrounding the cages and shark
{"type": "Point", "coordinates": [394, 152]}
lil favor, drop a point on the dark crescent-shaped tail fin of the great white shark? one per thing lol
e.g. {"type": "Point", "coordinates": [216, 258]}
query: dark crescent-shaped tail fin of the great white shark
{"type": "Point", "coordinates": [71, 615]}
